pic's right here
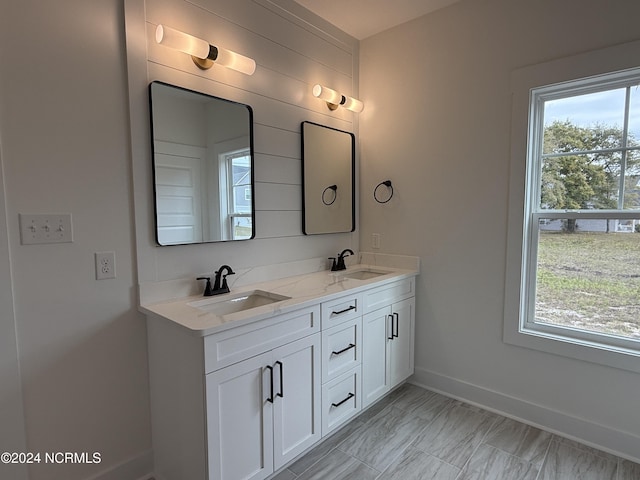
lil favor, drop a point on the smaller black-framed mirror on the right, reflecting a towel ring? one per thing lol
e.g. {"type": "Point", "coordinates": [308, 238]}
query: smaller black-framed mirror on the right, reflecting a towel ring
{"type": "Point", "coordinates": [328, 168]}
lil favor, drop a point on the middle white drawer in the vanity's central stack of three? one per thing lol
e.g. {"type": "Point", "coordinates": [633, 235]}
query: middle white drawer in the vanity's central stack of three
{"type": "Point", "coordinates": [341, 347]}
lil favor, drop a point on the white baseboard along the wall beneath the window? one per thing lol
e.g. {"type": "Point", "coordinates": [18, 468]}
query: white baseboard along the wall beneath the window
{"type": "Point", "coordinates": [620, 443]}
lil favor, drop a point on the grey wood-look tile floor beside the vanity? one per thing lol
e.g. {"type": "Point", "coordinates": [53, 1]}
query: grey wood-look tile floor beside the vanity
{"type": "Point", "coordinates": [417, 434]}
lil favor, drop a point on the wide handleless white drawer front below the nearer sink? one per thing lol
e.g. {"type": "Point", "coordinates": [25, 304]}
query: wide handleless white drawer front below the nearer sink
{"type": "Point", "coordinates": [237, 344]}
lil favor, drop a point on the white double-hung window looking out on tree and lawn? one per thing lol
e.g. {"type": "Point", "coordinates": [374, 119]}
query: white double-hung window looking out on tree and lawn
{"type": "Point", "coordinates": [580, 275]}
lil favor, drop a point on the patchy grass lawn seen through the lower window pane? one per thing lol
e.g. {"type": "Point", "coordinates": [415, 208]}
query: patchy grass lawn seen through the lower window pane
{"type": "Point", "coordinates": [590, 281]}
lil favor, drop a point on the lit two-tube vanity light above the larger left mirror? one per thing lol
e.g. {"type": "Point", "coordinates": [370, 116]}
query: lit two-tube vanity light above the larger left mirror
{"type": "Point", "coordinates": [202, 53]}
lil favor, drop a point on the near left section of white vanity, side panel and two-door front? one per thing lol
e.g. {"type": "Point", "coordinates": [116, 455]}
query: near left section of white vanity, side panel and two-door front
{"type": "Point", "coordinates": [238, 404]}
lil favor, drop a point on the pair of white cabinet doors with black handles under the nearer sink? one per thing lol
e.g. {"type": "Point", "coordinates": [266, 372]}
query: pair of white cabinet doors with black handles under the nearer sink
{"type": "Point", "coordinates": [264, 411]}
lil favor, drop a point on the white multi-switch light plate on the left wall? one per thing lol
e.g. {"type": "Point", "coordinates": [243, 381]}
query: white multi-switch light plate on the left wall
{"type": "Point", "coordinates": [45, 228]}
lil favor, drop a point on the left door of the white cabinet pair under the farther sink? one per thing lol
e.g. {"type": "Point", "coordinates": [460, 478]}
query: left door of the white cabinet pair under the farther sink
{"type": "Point", "coordinates": [375, 359]}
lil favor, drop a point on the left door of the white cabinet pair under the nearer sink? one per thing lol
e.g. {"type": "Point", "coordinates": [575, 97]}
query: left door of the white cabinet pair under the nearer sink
{"type": "Point", "coordinates": [239, 421]}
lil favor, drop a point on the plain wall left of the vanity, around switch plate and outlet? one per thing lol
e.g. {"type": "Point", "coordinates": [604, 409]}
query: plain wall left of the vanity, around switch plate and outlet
{"type": "Point", "coordinates": [64, 128]}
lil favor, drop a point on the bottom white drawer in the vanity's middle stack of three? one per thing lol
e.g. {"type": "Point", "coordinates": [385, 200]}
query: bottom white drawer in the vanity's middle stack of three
{"type": "Point", "coordinates": [340, 400]}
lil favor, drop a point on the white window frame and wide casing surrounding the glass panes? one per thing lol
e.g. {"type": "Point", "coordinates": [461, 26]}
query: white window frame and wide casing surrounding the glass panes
{"type": "Point", "coordinates": [522, 231]}
